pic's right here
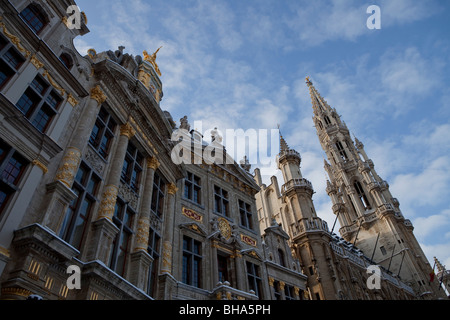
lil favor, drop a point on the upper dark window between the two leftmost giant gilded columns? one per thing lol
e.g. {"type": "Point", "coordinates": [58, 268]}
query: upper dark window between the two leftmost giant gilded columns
{"type": "Point", "coordinates": [103, 133]}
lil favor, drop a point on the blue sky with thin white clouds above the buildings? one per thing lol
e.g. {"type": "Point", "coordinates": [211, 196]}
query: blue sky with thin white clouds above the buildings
{"type": "Point", "coordinates": [242, 64]}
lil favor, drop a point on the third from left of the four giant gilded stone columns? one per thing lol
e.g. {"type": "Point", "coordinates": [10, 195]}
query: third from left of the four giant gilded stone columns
{"type": "Point", "coordinates": [140, 259]}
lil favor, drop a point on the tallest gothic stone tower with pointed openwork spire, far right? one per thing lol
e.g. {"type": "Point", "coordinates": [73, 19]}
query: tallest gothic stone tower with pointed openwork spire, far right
{"type": "Point", "coordinates": [369, 216]}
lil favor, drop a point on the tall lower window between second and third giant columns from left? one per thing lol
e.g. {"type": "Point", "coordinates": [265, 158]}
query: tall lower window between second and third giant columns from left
{"type": "Point", "coordinates": [123, 219]}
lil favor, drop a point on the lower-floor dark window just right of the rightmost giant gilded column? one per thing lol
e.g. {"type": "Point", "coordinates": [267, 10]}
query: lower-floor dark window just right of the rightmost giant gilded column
{"type": "Point", "coordinates": [192, 260]}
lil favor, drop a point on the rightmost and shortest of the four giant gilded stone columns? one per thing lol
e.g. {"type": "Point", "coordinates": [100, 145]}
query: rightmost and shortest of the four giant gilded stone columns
{"type": "Point", "coordinates": [166, 266]}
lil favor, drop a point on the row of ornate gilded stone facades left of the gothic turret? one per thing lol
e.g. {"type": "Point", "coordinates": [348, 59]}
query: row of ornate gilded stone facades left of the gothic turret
{"type": "Point", "coordinates": [88, 181]}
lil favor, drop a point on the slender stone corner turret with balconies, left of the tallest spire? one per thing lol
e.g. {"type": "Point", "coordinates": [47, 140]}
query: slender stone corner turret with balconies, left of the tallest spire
{"type": "Point", "coordinates": [309, 234]}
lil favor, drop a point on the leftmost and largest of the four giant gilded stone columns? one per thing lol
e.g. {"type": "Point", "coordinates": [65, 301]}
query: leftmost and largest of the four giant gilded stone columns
{"type": "Point", "coordinates": [59, 193]}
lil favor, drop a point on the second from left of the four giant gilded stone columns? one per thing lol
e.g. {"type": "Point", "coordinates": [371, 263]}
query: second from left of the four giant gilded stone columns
{"type": "Point", "coordinates": [104, 230]}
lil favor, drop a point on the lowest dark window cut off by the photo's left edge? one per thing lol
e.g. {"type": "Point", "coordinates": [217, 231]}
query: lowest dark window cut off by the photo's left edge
{"type": "Point", "coordinates": [12, 167]}
